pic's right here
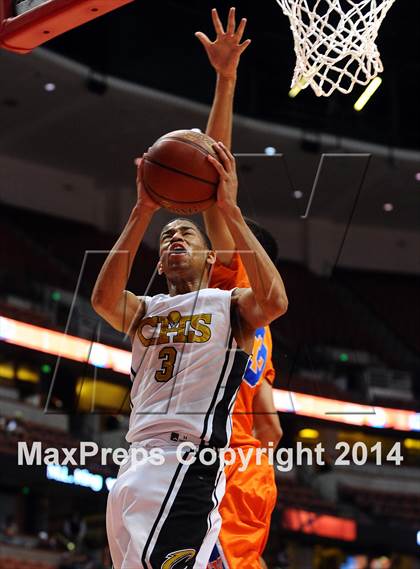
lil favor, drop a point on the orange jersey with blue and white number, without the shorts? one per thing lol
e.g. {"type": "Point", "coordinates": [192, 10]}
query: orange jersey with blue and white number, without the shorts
{"type": "Point", "coordinates": [260, 367]}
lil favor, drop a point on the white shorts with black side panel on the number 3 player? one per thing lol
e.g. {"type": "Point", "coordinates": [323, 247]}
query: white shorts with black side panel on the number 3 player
{"type": "Point", "coordinates": [164, 516]}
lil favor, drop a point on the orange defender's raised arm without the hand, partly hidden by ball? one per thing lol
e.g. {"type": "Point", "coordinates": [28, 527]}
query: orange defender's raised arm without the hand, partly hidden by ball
{"type": "Point", "coordinates": [219, 127]}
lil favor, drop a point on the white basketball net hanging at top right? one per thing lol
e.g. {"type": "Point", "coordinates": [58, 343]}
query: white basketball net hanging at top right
{"type": "Point", "coordinates": [335, 42]}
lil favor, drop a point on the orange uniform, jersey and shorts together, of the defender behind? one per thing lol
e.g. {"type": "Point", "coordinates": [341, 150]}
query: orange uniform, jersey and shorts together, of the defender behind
{"type": "Point", "coordinates": [251, 493]}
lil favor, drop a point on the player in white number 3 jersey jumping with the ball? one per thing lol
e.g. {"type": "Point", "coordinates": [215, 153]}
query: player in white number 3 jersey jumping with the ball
{"type": "Point", "coordinates": [189, 354]}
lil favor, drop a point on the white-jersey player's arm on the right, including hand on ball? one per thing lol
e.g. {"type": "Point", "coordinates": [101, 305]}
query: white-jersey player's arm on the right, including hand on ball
{"type": "Point", "coordinates": [266, 300]}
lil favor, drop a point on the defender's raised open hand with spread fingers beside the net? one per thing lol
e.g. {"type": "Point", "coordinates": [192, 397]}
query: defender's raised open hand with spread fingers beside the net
{"type": "Point", "coordinates": [224, 53]}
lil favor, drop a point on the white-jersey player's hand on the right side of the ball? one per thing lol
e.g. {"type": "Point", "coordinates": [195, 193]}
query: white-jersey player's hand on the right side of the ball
{"type": "Point", "coordinates": [227, 190]}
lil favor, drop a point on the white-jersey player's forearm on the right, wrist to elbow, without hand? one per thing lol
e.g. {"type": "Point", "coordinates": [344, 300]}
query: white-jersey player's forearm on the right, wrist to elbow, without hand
{"type": "Point", "coordinates": [265, 280]}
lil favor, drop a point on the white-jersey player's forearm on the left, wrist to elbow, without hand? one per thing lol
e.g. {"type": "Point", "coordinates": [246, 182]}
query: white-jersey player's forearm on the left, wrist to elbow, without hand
{"type": "Point", "coordinates": [115, 272]}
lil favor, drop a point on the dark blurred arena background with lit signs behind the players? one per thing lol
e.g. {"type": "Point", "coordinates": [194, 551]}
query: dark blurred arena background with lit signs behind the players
{"type": "Point", "coordinates": [339, 190]}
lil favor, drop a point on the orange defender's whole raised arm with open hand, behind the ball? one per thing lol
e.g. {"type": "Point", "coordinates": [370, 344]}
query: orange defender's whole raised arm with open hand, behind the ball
{"type": "Point", "coordinates": [224, 55]}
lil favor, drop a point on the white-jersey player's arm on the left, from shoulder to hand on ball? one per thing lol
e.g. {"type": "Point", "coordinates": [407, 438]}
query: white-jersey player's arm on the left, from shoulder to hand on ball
{"type": "Point", "coordinates": [110, 299]}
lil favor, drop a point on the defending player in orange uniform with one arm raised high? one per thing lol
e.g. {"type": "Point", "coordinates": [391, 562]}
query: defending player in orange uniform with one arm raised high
{"type": "Point", "coordinates": [250, 495]}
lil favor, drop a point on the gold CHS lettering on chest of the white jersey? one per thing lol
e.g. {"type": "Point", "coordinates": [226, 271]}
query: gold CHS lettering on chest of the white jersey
{"type": "Point", "coordinates": [174, 328]}
